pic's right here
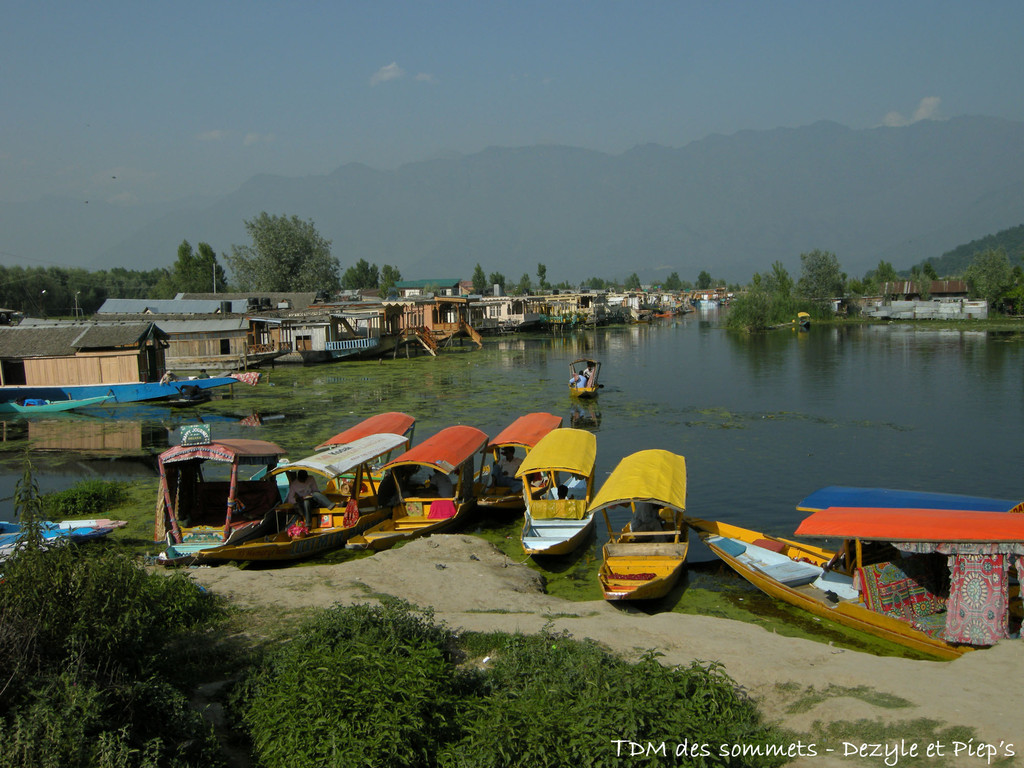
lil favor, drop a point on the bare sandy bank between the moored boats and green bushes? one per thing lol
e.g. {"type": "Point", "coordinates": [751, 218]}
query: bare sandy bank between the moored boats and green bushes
{"type": "Point", "coordinates": [467, 582]}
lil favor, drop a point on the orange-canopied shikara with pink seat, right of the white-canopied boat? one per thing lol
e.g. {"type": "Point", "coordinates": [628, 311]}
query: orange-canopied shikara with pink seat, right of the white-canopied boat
{"type": "Point", "coordinates": [428, 490]}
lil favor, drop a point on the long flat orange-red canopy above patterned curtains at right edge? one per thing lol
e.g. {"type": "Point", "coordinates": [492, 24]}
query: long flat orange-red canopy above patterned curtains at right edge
{"type": "Point", "coordinates": [915, 525]}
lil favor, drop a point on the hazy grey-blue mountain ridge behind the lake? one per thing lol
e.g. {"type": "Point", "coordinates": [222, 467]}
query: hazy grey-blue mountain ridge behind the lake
{"type": "Point", "coordinates": [732, 205]}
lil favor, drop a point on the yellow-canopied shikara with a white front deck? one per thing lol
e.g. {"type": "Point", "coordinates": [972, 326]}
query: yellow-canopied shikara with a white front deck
{"type": "Point", "coordinates": [564, 459]}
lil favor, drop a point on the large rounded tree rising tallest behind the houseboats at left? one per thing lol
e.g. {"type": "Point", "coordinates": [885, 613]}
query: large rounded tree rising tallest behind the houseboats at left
{"type": "Point", "coordinates": [287, 254]}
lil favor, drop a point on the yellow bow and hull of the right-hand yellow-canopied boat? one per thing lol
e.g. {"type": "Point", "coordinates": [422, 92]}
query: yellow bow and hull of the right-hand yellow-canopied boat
{"type": "Point", "coordinates": [642, 571]}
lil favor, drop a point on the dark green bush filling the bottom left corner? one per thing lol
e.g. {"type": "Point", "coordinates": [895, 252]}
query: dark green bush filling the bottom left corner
{"type": "Point", "coordinates": [83, 642]}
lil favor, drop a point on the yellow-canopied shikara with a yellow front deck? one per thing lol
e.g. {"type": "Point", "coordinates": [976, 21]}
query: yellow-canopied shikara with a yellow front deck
{"type": "Point", "coordinates": [646, 560]}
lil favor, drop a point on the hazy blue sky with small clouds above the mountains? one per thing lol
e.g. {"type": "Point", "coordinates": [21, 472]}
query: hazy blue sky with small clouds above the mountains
{"type": "Point", "coordinates": [140, 102]}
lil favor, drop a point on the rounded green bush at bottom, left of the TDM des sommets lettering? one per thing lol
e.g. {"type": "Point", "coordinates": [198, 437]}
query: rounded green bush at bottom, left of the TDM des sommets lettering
{"type": "Point", "coordinates": [359, 686]}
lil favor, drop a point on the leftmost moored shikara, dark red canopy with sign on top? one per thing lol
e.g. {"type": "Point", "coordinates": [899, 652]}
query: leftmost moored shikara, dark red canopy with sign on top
{"type": "Point", "coordinates": [203, 503]}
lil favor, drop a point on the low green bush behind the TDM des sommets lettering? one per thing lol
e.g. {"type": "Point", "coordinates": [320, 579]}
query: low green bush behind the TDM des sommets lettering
{"type": "Point", "coordinates": [550, 701]}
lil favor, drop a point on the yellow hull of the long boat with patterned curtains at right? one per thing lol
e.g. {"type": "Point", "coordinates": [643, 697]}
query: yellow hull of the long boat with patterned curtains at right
{"type": "Point", "coordinates": [849, 614]}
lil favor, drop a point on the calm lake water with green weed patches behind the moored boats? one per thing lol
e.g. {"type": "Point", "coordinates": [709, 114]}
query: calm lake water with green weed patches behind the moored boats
{"type": "Point", "coordinates": [763, 421]}
